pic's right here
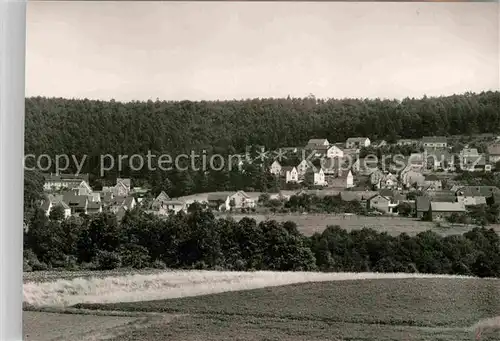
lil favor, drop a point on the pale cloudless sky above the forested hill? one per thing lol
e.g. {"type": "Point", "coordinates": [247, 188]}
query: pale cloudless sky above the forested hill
{"type": "Point", "coordinates": [234, 50]}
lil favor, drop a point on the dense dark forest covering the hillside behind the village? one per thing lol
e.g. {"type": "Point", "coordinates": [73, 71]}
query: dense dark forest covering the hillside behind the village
{"type": "Point", "coordinates": [77, 127]}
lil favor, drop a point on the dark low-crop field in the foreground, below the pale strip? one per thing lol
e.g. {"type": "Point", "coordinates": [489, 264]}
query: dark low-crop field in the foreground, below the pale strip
{"type": "Point", "coordinates": [398, 309]}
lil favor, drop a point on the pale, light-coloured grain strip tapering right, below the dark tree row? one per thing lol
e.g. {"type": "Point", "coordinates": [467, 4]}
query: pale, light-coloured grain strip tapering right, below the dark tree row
{"type": "Point", "coordinates": [170, 284]}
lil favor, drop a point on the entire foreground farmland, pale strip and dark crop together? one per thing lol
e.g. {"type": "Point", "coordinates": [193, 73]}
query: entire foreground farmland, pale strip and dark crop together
{"type": "Point", "coordinates": [209, 305]}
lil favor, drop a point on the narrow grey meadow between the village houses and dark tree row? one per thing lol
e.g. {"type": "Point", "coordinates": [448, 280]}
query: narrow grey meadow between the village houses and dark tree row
{"type": "Point", "coordinates": [308, 224]}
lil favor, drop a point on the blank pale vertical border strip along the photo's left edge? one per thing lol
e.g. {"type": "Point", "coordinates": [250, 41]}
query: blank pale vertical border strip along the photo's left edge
{"type": "Point", "coordinates": [12, 97]}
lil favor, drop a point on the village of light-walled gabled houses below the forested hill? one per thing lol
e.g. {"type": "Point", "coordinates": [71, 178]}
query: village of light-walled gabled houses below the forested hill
{"type": "Point", "coordinates": [422, 181]}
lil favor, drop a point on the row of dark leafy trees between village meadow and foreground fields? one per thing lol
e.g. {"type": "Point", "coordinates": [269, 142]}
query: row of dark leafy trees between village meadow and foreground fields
{"type": "Point", "coordinates": [201, 241]}
